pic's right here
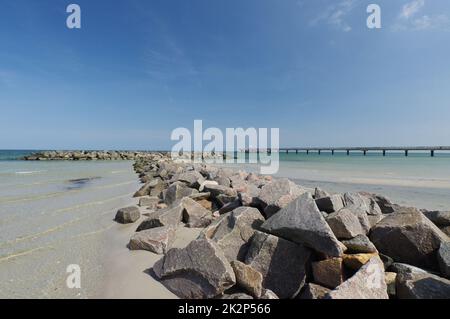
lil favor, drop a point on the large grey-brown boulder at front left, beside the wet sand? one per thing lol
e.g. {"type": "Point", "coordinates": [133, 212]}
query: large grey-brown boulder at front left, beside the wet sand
{"type": "Point", "coordinates": [200, 270]}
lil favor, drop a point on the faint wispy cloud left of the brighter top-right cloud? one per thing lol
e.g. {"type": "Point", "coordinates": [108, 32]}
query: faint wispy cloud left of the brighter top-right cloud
{"type": "Point", "coordinates": [335, 15]}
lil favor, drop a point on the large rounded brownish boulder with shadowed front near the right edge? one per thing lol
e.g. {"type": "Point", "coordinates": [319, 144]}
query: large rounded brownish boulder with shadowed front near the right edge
{"type": "Point", "coordinates": [409, 237]}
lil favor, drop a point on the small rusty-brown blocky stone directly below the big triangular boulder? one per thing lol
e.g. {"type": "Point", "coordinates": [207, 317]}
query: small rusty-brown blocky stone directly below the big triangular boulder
{"type": "Point", "coordinates": [328, 272]}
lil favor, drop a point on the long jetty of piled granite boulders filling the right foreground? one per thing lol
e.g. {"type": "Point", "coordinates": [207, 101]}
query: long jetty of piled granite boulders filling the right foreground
{"type": "Point", "coordinates": [267, 238]}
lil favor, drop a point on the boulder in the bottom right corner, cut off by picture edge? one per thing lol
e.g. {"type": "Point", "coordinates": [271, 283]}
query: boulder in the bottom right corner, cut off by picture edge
{"type": "Point", "coordinates": [422, 285]}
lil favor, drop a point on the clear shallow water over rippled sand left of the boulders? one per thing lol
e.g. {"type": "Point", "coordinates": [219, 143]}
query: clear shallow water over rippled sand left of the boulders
{"type": "Point", "coordinates": [54, 214]}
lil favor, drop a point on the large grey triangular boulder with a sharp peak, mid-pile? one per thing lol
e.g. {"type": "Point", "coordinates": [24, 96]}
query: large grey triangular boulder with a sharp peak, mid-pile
{"type": "Point", "coordinates": [302, 222]}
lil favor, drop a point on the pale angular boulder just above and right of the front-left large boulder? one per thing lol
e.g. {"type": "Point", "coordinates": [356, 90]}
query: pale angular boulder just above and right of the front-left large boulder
{"type": "Point", "coordinates": [232, 232]}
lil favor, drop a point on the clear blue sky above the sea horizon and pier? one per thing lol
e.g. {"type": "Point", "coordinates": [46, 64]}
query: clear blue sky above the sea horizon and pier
{"type": "Point", "coordinates": [137, 69]}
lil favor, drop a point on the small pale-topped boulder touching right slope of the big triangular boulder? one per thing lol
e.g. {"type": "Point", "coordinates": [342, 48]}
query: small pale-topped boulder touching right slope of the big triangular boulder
{"type": "Point", "coordinates": [345, 224]}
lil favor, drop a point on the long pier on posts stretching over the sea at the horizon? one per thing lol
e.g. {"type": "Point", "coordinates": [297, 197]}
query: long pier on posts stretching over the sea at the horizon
{"type": "Point", "coordinates": [364, 150]}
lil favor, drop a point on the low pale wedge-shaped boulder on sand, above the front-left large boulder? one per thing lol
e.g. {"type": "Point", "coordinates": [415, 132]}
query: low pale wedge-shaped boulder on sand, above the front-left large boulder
{"type": "Point", "coordinates": [157, 240]}
